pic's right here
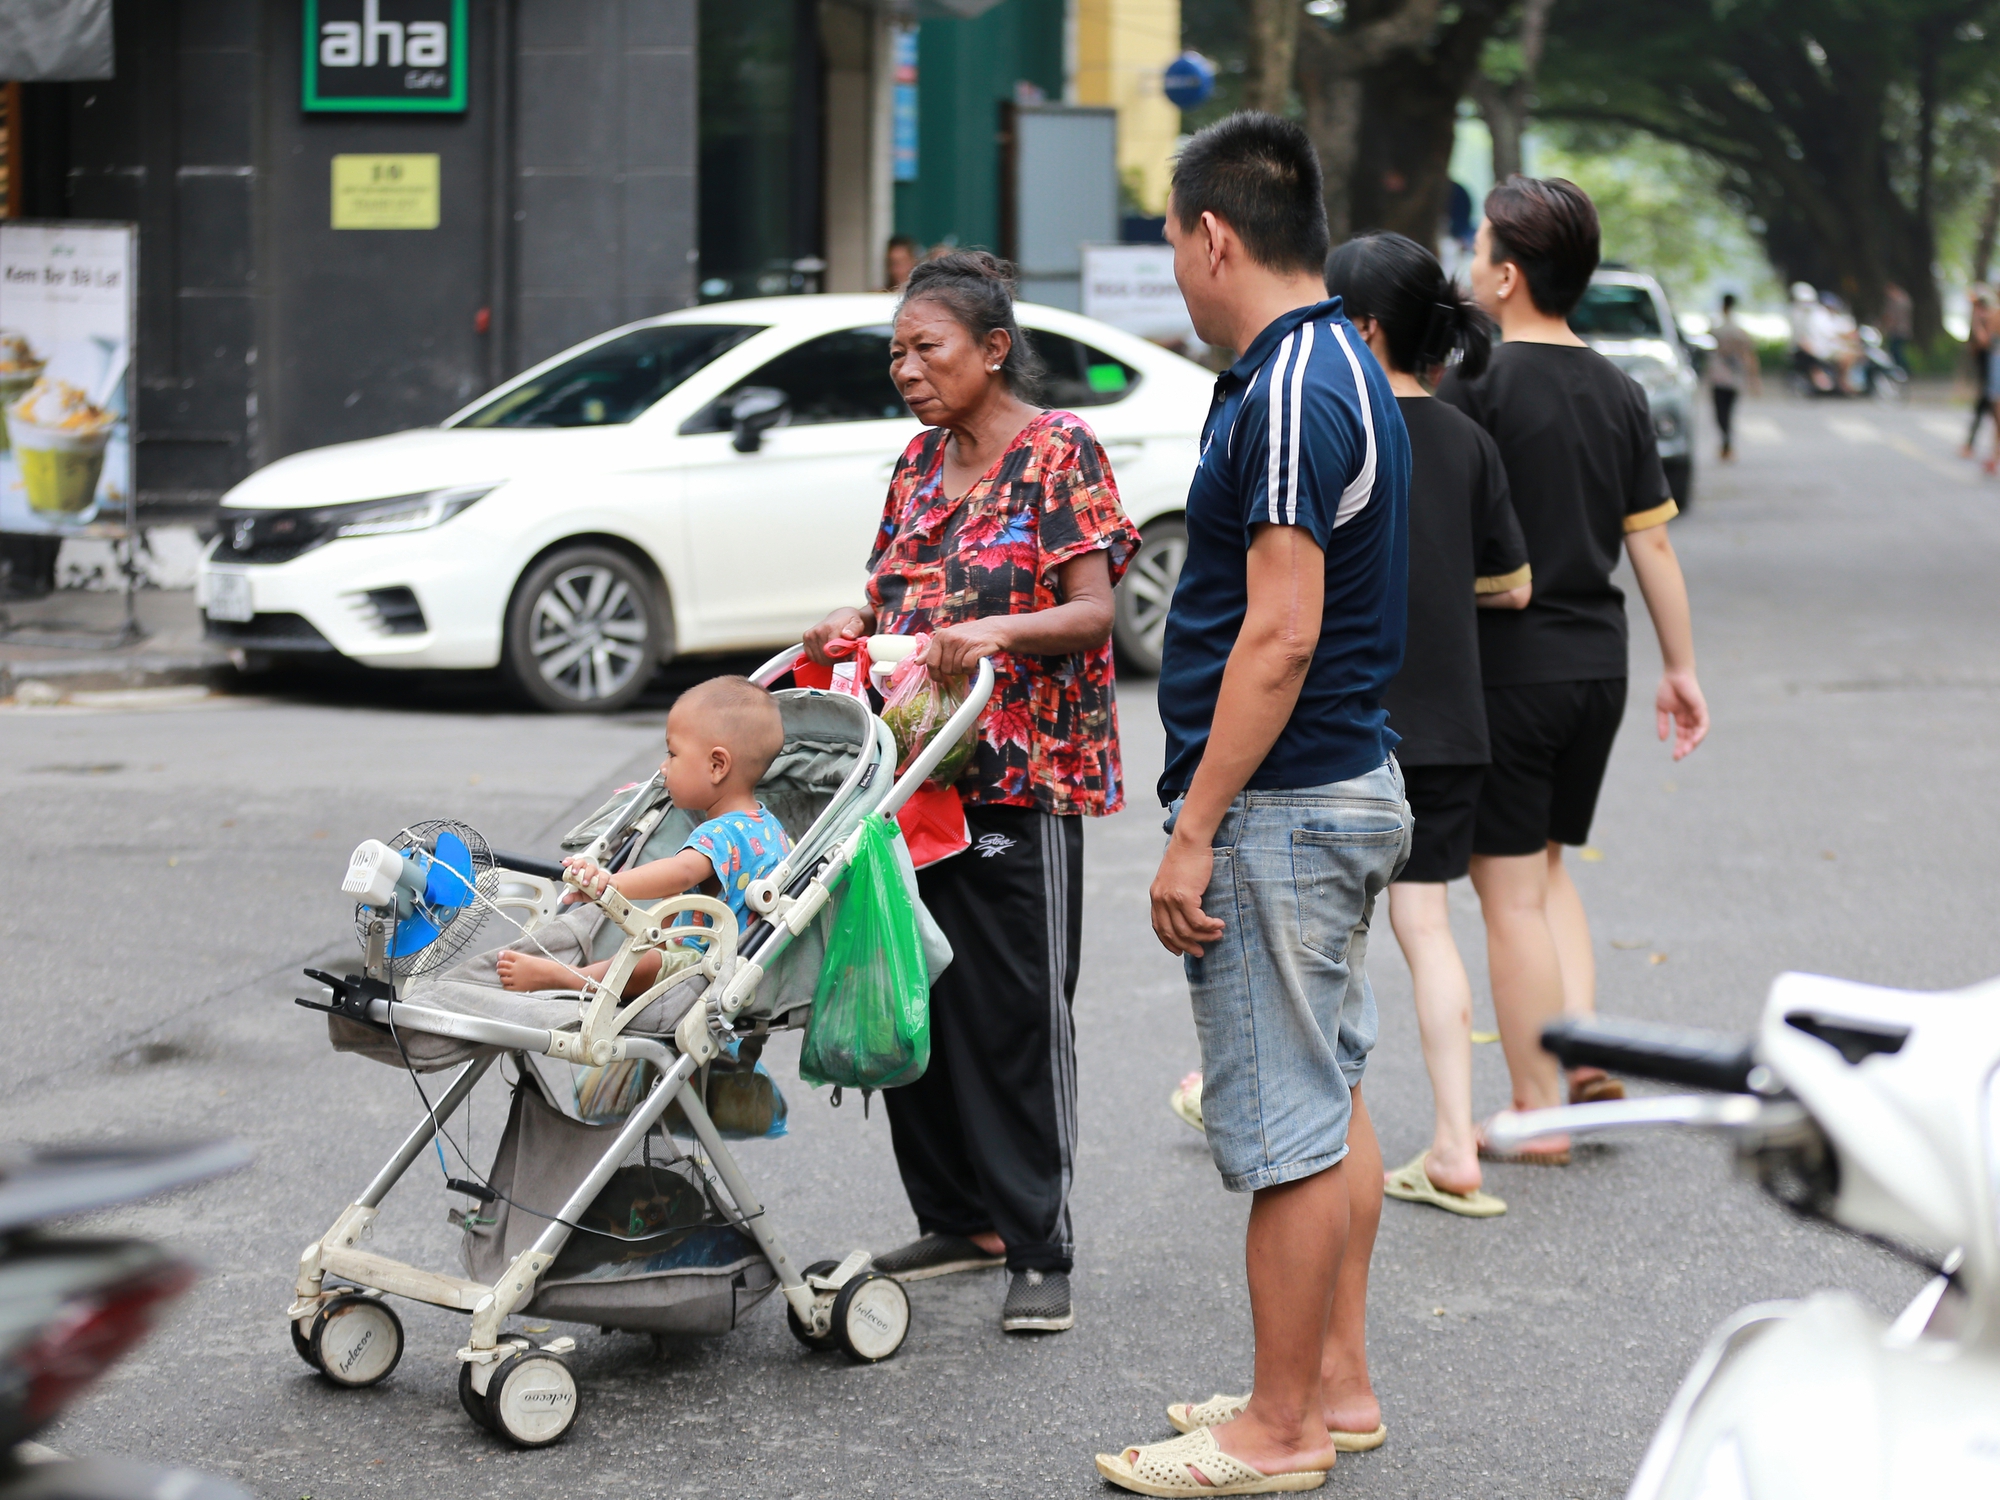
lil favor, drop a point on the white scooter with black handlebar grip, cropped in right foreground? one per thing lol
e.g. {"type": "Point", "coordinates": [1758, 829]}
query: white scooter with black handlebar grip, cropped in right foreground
{"type": "Point", "coordinates": [1877, 1111]}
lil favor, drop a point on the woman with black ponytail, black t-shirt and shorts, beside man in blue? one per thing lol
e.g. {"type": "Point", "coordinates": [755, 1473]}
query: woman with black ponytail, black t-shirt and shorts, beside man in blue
{"type": "Point", "coordinates": [1465, 553]}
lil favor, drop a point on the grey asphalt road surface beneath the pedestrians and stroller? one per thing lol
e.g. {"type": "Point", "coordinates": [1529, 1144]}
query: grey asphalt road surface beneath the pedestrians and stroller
{"type": "Point", "coordinates": [175, 869]}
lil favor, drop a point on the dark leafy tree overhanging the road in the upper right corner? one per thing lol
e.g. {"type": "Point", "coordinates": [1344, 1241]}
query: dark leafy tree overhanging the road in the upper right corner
{"type": "Point", "coordinates": [1825, 117]}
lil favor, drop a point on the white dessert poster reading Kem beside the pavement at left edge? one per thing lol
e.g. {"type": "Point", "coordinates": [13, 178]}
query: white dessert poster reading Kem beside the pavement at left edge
{"type": "Point", "coordinates": [67, 313]}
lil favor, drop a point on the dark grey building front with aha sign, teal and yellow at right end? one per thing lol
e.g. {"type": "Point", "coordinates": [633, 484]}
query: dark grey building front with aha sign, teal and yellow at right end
{"type": "Point", "coordinates": [357, 215]}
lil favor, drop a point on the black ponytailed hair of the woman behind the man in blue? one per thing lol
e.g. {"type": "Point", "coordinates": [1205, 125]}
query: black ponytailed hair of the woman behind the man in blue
{"type": "Point", "coordinates": [1425, 317]}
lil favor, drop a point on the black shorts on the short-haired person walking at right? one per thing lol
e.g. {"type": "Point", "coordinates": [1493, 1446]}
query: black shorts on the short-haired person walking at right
{"type": "Point", "coordinates": [1551, 743]}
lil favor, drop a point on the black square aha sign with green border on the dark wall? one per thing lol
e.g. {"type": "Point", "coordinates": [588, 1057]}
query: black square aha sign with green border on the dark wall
{"type": "Point", "coordinates": [385, 55]}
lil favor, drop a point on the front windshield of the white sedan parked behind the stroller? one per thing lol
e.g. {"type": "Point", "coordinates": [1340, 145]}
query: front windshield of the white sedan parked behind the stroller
{"type": "Point", "coordinates": [611, 383]}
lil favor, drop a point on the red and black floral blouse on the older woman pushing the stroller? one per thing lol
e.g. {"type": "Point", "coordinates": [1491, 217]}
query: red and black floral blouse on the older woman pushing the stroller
{"type": "Point", "coordinates": [1049, 739]}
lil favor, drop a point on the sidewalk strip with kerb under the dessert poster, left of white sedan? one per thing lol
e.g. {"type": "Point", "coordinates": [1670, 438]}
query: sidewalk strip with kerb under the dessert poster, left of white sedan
{"type": "Point", "coordinates": [67, 645]}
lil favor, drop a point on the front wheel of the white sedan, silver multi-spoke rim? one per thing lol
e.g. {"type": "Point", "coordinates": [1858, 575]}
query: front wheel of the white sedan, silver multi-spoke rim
{"type": "Point", "coordinates": [585, 631]}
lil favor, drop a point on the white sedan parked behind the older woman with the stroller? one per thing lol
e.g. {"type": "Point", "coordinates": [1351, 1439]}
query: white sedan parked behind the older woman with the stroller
{"type": "Point", "coordinates": [697, 483]}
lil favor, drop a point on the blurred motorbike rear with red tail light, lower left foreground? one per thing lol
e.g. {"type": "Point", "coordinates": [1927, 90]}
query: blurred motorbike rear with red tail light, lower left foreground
{"type": "Point", "coordinates": [71, 1305]}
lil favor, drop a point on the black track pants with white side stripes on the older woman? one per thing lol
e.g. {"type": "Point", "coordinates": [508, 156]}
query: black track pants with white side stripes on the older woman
{"type": "Point", "coordinates": [987, 1137]}
